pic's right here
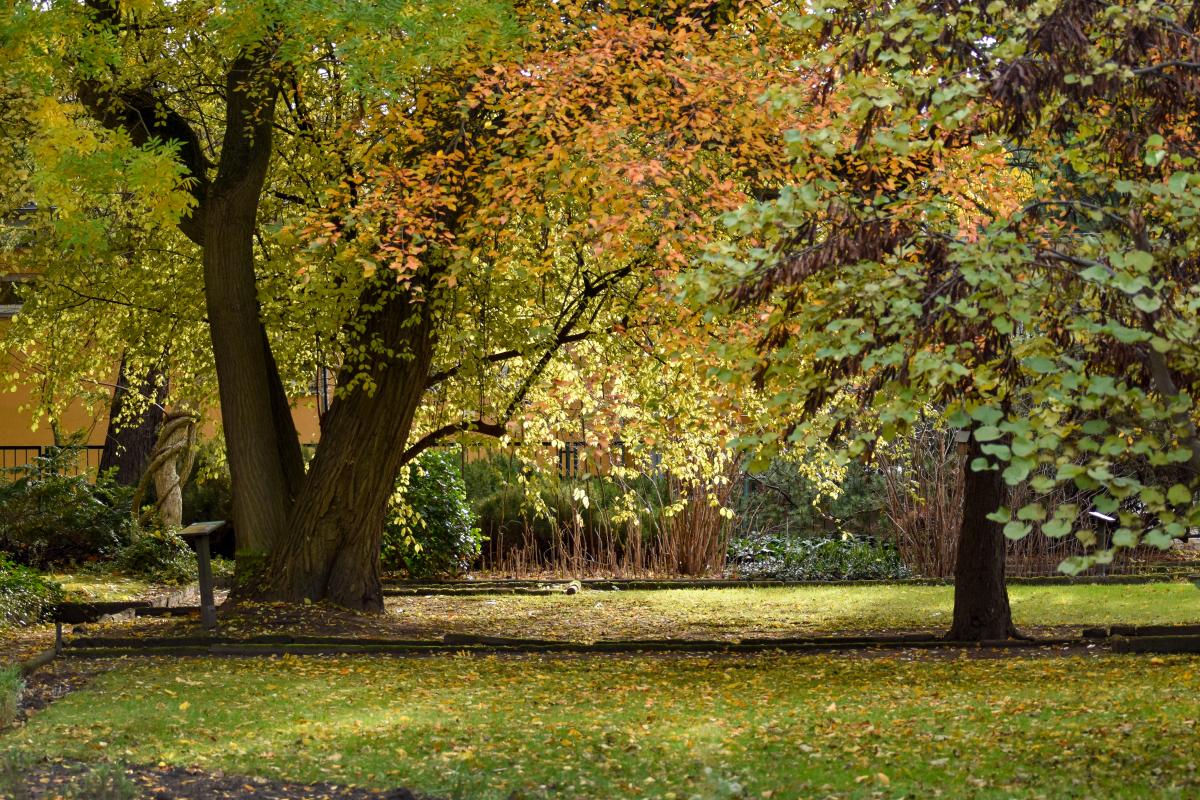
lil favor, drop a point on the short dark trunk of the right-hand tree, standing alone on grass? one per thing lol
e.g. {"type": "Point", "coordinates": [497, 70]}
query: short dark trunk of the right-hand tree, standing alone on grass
{"type": "Point", "coordinates": [981, 596]}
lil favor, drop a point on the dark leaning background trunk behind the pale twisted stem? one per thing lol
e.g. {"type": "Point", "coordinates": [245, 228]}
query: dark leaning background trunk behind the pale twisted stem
{"type": "Point", "coordinates": [129, 443]}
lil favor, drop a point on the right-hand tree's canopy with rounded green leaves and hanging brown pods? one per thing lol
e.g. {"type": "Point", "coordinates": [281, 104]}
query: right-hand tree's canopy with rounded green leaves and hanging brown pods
{"type": "Point", "coordinates": [995, 227]}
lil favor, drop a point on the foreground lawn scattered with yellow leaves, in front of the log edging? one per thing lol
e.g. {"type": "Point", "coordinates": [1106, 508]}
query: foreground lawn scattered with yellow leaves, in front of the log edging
{"type": "Point", "coordinates": [655, 727]}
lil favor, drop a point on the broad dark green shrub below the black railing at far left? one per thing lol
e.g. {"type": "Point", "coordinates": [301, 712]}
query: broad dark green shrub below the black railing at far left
{"type": "Point", "coordinates": [50, 518]}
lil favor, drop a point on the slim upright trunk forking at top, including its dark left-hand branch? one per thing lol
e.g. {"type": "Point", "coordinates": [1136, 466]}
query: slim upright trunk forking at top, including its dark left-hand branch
{"type": "Point", "coordinates": [266, 464]}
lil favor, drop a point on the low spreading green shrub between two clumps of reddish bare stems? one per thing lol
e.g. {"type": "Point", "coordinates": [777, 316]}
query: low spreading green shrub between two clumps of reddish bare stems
{"type": "Point", "coordinates": [779, 558]}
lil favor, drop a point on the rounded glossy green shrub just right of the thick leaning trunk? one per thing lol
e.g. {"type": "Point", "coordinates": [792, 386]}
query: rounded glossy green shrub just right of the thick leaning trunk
{"type": "Point", "coordinates": [431, 531]}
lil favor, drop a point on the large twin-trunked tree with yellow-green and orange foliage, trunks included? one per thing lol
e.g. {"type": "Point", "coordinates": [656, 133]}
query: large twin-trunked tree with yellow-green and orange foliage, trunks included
{"type": "Point", "coordinates": [467, 210]}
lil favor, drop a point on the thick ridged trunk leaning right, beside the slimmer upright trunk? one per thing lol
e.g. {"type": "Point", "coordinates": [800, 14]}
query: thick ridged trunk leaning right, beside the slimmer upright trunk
{"type": "Point", "coordinates": [337, 526]}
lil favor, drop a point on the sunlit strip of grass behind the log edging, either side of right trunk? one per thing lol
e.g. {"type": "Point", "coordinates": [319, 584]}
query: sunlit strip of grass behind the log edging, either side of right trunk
{"type": "Point", "coordinates": [733, 613]}
